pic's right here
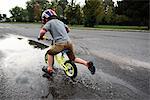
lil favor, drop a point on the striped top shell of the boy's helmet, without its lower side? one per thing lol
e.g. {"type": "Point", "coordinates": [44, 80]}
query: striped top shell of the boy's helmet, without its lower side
{"type": "Point", "coordinates": [48, 13]}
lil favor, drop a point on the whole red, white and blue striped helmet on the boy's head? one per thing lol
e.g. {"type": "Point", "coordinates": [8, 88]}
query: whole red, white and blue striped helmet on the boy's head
{"type": "Point", "coordinates": [48, 14]}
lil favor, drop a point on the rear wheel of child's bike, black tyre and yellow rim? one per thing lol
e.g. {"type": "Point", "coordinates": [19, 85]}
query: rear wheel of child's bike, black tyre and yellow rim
{"type": "Point", "coordinates": [71, 70]}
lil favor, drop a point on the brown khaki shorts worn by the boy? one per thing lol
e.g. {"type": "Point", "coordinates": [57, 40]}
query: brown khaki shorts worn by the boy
{"type": "Point", "coordinates": [58, 47]}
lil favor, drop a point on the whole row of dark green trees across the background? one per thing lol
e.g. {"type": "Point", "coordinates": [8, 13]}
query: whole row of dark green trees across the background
{"type": "Point", "coordinates": [128, 12]}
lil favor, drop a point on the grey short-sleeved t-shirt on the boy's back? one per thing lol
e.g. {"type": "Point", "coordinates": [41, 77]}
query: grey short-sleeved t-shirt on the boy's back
{"type": "Point", "coordinates": [57, 30]}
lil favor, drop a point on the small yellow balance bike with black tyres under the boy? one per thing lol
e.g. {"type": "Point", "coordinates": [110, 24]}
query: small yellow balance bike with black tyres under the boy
{"type": "Point", "coordinates": [68, 66]}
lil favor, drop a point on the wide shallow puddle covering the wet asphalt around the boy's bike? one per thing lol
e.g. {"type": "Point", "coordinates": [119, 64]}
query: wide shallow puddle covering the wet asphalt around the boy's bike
{"type": "Point", "coordinates": [21, 60]}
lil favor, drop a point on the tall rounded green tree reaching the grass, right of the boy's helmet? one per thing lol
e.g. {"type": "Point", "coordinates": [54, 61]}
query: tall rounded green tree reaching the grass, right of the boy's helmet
{"type": "Point", "coordinates": [93, 12]}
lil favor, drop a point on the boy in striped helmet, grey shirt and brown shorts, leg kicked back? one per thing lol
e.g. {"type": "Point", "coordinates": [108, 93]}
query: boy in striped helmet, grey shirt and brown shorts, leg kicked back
{"type": "Point", "coordinates": [59, 32]}
